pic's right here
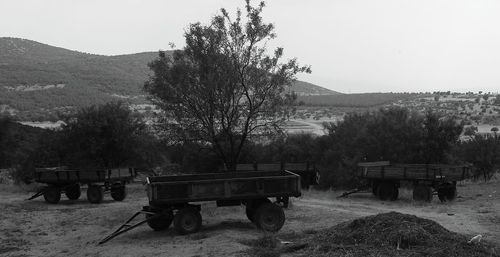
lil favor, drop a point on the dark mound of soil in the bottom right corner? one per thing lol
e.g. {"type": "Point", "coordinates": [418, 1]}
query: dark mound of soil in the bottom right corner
{"type": "Point", "coordinates": [394, 234]}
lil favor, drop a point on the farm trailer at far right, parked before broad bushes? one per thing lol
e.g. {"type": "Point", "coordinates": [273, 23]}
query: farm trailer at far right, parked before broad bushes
{"type": "Point", "coordinates": [385, 179]}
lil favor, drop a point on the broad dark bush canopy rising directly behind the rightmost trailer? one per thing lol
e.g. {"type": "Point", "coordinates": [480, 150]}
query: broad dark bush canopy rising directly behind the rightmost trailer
{"type": "Point", "coordinates": [396, 135]}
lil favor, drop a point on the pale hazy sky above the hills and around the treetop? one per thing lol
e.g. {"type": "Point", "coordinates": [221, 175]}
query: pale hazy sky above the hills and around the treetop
{"type": "Point", "coordinates": [352, 45]}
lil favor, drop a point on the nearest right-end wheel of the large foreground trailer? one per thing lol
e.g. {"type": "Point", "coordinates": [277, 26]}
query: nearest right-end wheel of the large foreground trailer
{"type": "Point", "coordinates": [269, 217]}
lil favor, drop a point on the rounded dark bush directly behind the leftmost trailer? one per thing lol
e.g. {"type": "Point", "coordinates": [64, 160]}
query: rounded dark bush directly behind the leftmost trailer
{"type": "Point", "coordinates": [103, 136]}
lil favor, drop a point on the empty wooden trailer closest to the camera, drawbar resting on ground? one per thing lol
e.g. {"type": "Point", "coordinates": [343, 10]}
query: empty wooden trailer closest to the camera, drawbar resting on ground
{"type": "Point", "coordinates": [172, 199]}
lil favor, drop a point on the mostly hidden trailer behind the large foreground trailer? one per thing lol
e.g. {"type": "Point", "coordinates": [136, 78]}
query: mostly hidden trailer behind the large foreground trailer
{"type": "Point", "coordinates": [309, 174]}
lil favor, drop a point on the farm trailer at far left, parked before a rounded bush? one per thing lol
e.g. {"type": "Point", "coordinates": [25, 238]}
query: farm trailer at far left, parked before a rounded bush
{"type": "Point", "coordinates": [69, 181]}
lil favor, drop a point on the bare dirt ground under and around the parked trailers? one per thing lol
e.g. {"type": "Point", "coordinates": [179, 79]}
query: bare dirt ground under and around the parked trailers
{"type": "Point", "coordinates": [73, 228]}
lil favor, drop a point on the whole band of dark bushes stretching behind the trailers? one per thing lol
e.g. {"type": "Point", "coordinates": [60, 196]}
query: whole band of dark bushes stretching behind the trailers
{"type": "Point", "coordinates": [110, 135]}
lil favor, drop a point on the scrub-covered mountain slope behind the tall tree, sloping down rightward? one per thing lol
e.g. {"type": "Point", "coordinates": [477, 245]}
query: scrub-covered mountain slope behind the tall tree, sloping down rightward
{"type": "Point", "coordinates": [38, 79]}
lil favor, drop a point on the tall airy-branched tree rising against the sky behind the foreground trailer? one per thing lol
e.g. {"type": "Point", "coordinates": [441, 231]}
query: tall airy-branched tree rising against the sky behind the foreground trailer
{"type": "Point", "coordinates": [223, 86]}
